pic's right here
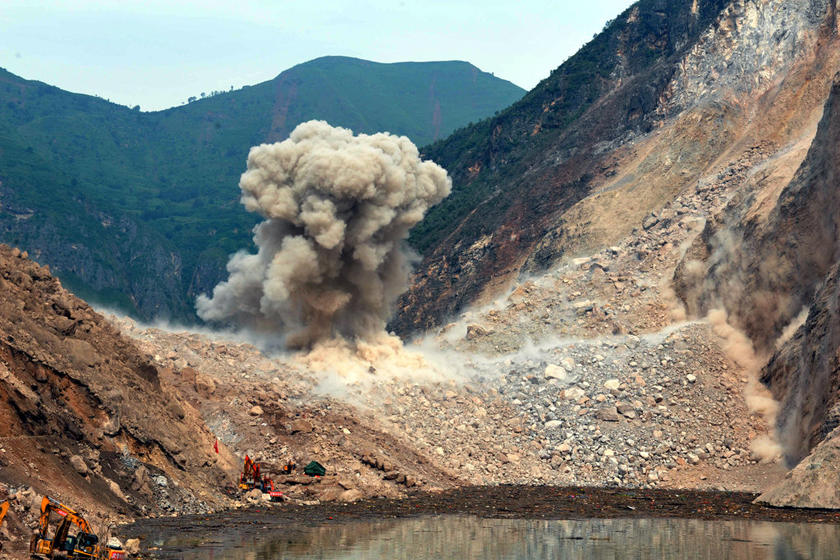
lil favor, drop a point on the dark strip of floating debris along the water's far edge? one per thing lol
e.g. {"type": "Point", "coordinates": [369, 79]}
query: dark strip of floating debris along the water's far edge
{"type": "Point", "coordinates": [524, 502]}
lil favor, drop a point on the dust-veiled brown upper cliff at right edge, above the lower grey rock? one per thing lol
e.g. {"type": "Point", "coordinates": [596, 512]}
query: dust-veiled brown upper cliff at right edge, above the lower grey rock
{"type": "Point", "coordinates": [763, 268]}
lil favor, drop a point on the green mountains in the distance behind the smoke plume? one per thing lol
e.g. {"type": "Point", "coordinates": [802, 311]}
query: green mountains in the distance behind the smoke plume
{"type": "Point", "coordinates": [82, 176]}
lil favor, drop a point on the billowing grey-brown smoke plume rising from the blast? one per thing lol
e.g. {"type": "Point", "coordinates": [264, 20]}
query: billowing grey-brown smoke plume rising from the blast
{"type": "Point", "coordinates": [331, 259]}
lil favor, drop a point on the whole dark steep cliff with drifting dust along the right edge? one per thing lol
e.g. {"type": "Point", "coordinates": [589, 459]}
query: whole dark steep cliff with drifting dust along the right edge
{"type": "Point", "coordinates": [766, 267]}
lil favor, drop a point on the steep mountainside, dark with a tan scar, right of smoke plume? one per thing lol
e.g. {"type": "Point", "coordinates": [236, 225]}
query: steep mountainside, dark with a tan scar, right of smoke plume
{"type": "Point", "coordinates": [639, 114]}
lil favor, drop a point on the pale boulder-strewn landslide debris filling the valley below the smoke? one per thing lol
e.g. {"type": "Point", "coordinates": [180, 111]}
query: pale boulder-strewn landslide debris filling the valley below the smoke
{"type": "Point", "coordinates": [577, 376]}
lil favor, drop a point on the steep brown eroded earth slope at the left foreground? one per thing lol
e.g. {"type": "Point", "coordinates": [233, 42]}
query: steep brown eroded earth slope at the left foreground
{"type": "Point", "coordinates": [84, 416]}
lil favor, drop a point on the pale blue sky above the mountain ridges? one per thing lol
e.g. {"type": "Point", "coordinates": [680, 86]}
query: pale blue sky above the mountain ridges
{"type": "Point", "coordinates": [157, 53]}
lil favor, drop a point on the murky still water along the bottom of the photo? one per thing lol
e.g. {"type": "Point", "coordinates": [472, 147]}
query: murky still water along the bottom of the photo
{"type": "Point", "coordinates": [467, 537]}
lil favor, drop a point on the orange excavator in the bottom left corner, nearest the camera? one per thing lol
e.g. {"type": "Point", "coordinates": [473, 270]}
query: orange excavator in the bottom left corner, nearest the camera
{"type": "Point", "coordinates": [84, 544]}
